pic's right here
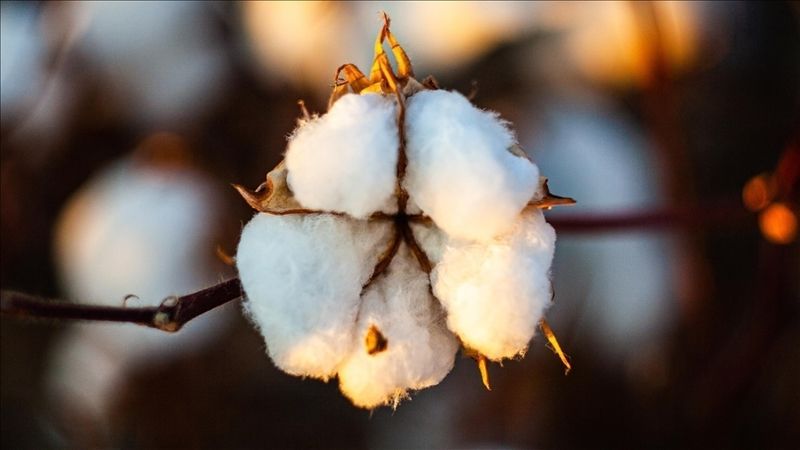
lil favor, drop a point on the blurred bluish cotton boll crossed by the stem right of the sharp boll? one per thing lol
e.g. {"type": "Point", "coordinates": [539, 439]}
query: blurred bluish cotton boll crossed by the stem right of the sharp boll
{"type": "Point", "coordinates": [621, 282]}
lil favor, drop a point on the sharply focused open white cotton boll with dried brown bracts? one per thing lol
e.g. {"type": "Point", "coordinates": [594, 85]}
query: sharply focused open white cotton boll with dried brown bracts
{"type": "Point", "coordinates": [403, 224]}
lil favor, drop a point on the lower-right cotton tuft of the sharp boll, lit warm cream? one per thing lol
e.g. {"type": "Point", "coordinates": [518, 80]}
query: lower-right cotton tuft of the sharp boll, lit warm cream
{"type": "Point", "coordinates": [495, 293]}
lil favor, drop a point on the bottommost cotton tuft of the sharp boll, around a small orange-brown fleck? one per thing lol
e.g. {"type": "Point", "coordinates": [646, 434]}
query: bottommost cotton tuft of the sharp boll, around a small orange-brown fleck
{"type": "Point", "coordinates": [420, 350]}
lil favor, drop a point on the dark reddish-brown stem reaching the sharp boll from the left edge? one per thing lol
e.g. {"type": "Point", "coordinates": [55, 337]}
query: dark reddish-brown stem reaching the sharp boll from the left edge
{"type": "Point", "coordinates": [171, 315]}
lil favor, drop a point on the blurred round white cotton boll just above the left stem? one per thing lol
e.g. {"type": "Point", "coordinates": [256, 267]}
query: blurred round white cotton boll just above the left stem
{"type": "Point", "coordinates": [138, 229]}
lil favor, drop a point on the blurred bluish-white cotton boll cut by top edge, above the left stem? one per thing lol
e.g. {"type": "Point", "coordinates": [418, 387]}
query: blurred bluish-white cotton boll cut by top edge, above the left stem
{"type": "Point", "coordinates": [162, 59]}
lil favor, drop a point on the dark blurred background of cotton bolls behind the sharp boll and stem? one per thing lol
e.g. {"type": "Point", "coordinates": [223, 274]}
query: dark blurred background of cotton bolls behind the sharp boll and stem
{"type": "Point", "coordinates": [677, 274]}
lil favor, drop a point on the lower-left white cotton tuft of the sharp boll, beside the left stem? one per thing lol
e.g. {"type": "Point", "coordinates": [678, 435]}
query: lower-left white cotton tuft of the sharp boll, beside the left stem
{"type": "Point", "coordinates": [302, 276]}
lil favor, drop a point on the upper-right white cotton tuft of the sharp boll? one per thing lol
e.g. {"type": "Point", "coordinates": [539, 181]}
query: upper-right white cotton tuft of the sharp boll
{"type": "Point", "coordinates": [460, 171]}
